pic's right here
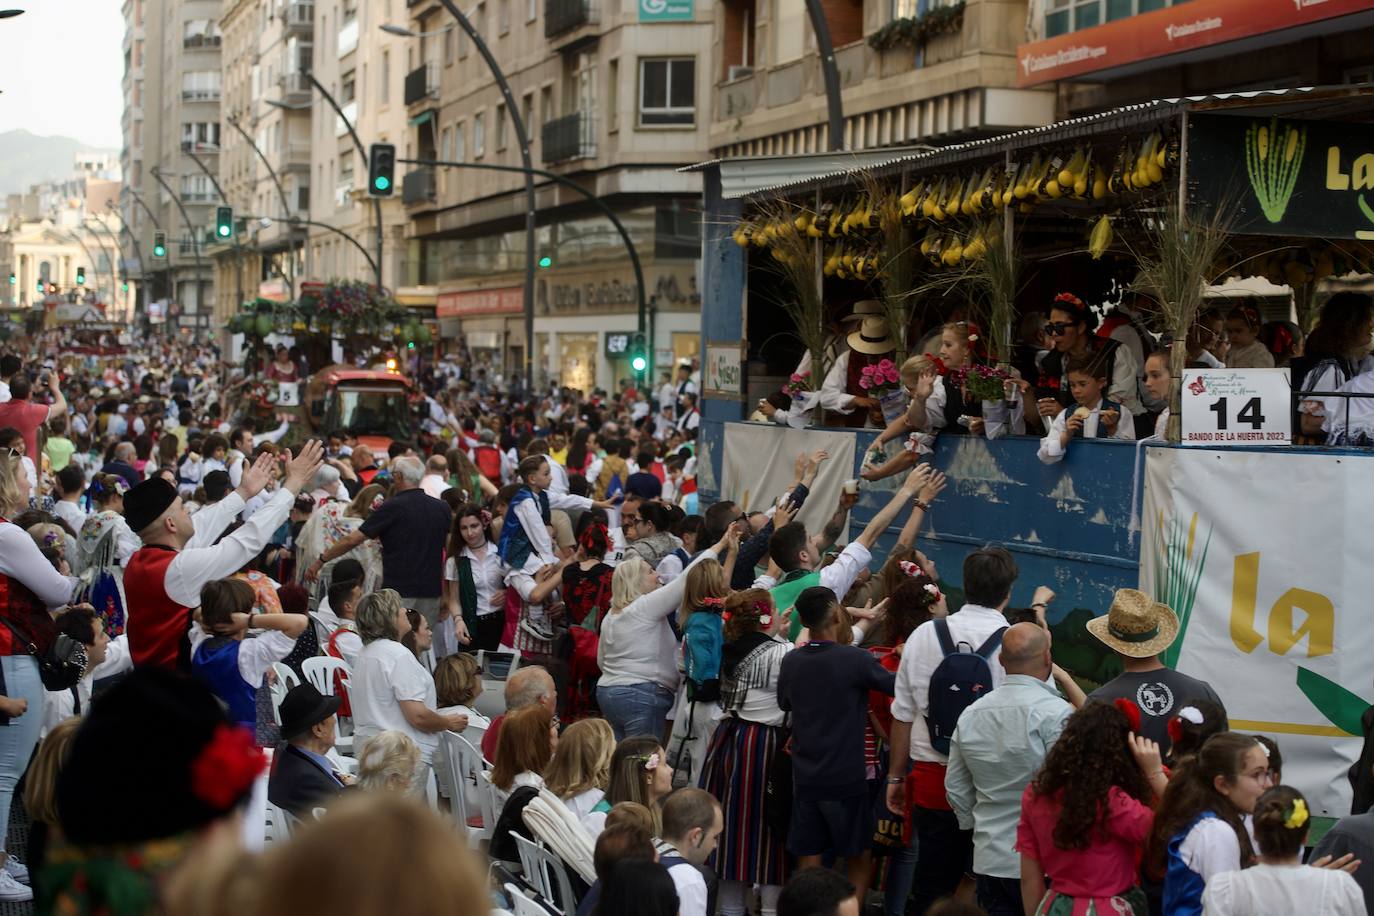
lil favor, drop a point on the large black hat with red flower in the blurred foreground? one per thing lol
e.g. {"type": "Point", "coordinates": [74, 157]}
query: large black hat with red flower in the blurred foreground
{"type": "Point", "coordinates": [164, 741]}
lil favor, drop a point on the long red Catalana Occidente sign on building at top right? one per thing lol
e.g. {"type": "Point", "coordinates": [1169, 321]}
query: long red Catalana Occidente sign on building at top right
{"type": "Point", "coordinates": [1184, 27]}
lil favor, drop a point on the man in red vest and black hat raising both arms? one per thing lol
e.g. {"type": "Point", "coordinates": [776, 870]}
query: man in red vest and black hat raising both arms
{"type": "Point", "coordinates": [179, 557]}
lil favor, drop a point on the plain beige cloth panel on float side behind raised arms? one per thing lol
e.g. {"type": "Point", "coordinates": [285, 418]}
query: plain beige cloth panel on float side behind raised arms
{"type": "Point", "coordinates": [759, 463]}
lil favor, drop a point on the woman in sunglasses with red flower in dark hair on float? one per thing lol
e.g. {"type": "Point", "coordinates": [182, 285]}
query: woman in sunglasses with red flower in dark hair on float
{"type": "Point", "coordinates": [1070, 332]}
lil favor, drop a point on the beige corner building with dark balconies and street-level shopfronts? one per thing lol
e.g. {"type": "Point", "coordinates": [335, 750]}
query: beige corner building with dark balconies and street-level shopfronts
{"type": "Point", "coordinates": [612, 98]}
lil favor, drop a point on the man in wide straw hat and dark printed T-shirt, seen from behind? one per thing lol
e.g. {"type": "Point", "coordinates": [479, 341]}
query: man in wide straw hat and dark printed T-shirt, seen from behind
{"type": "Point", "coordinates": [1138, 630]}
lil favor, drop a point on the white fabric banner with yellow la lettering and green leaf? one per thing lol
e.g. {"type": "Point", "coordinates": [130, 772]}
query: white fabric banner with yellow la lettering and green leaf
{"type": "Point", "coordinates": [1262, 554]}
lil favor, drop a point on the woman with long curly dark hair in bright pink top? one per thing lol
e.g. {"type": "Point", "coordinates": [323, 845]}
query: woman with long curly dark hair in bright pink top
{"type": "Point", "coordinates": [1088, 814]}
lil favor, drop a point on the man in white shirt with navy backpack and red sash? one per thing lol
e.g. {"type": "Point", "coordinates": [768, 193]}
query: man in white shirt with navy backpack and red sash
{"type": "Point", "coordinates": [946, 851]}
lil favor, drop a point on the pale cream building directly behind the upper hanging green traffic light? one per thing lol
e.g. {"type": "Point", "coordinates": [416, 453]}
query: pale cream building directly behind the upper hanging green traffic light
{"type": "Point", "coordinates": [363, 68]}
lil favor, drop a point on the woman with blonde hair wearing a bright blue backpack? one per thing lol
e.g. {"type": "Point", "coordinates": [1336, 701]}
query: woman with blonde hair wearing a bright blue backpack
{"type": "Point", "coordinates": [699, 698]}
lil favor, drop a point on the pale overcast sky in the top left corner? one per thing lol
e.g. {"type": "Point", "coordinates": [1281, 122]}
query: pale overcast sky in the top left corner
{"type": "Point", "coordinates": [61, 68]}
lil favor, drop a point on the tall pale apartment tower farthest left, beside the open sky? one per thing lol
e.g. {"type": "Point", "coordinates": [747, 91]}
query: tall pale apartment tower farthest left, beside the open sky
{"type": "Point", "coordinates": [172, 87]}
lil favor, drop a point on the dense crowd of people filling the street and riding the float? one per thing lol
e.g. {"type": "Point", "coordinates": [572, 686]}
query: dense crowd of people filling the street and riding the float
{"type": "Point", "coordinates": [523, 639]}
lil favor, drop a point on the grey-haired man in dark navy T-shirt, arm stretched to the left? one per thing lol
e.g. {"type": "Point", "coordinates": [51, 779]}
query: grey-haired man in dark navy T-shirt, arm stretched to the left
{"type": "Point", "coordinates": [413, 528]}
